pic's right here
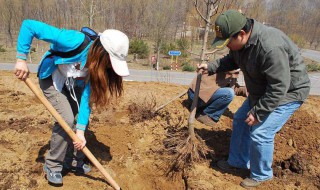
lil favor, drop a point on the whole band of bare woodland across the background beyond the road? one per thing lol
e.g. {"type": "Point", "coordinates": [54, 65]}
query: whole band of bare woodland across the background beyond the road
{"type": "Point", "coordinates": [166, 23]}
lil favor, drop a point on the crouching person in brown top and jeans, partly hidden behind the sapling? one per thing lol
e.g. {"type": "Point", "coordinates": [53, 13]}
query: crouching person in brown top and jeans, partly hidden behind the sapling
{"type": "Point", "coordinates": [215, 95]}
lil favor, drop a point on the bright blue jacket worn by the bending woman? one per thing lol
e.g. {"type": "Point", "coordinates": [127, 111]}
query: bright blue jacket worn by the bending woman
{"type": "Point", "coordinates": [60, 40]}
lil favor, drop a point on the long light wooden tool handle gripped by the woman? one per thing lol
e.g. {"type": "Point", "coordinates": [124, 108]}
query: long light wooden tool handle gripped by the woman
{"type": "Point", "coordinates": [69, 131]}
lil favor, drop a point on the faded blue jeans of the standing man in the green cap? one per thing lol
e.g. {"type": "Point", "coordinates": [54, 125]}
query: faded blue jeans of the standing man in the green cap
{"type": "Point", "coordinates": [252, 147]}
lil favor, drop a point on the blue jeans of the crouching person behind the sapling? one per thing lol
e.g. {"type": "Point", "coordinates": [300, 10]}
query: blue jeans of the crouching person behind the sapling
{"type": "Point", "coordinates": [217, 104]}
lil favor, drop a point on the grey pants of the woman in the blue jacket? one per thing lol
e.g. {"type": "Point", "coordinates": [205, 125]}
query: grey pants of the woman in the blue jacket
{"type": "Point", "coordinates": [61, 146]}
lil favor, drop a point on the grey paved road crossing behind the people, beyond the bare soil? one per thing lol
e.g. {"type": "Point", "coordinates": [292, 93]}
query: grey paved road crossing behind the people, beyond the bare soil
{"type": "Point", "coordinates": [182, 78]}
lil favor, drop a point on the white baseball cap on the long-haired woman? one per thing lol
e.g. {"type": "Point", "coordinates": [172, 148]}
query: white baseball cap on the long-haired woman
{"type": "Point", "coordinates": [116, 43]}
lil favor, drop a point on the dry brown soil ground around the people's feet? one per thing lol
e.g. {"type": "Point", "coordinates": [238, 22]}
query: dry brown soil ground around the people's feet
{"type": "Point", "coordinates": [132, 150]}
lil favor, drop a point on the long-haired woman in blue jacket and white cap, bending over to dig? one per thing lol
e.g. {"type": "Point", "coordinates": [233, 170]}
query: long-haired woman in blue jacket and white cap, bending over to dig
{"type": "Point", "coordinates": [76, 69]}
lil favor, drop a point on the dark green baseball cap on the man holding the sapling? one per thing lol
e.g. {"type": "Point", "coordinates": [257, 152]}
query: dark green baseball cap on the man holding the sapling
{"type": "Point", "coordinates": [227, 24]}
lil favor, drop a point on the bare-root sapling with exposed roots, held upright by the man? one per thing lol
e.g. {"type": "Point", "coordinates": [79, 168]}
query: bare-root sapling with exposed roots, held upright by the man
{"type": "Point", "coordinates": [188, 146]}
